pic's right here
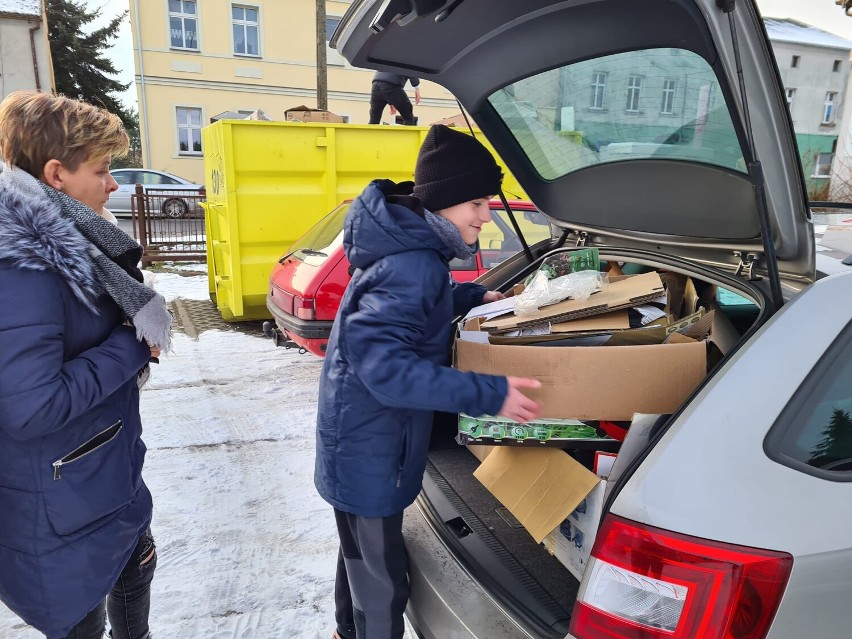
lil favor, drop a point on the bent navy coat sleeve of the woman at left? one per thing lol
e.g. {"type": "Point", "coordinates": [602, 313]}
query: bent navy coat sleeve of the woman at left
{"type": "Point", "coordinates": [40, 392]}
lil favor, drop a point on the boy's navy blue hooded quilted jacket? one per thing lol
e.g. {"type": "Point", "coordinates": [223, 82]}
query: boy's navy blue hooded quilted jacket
{"type": "Point", "coordinates": [385, 369]}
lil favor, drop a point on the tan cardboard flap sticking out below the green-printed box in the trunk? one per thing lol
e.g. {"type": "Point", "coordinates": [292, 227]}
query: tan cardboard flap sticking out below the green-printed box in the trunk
{"type": "Point", "coordinates": [539, 486]}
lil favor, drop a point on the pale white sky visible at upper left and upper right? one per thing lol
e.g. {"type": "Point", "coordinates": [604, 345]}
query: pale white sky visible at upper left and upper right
{"type": "Point", "coordinates": [824, 14]}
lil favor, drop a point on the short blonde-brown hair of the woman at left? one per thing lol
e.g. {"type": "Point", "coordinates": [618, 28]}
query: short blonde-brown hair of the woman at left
{"type": "Point", "coordinates": [36, 127]}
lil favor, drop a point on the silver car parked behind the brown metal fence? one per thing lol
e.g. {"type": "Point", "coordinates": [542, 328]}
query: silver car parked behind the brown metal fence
{"type": "Point", "coordinates": [170, 195]}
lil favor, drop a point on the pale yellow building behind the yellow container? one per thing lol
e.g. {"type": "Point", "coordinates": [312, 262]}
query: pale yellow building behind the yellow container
{"type": "Point", "coordinates": [196, 59]}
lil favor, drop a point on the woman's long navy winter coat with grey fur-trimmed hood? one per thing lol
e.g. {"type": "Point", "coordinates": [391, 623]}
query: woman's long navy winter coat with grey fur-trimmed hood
{"type": "Point", "coordinates": [72, 500]}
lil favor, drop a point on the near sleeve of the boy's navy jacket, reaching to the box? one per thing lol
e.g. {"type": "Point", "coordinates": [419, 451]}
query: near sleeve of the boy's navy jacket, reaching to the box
{"type": "Point", "coordinates": [384, 337]}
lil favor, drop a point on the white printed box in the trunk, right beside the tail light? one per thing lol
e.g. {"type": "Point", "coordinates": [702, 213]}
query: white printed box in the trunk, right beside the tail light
{"type": "Point", "coordinates": [571, 542]}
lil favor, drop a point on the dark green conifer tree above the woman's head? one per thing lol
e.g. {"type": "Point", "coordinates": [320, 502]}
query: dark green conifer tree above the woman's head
{"type": "Point", "coordinates": [81, 68]}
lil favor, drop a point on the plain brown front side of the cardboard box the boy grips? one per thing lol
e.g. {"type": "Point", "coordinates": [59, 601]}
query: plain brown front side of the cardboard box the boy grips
{"type": "Point", "coordinates": [596, 382]}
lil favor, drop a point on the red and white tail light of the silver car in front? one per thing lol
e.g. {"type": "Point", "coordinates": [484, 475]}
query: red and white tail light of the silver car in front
{"type": "Point", "coordinates": [644, 583]}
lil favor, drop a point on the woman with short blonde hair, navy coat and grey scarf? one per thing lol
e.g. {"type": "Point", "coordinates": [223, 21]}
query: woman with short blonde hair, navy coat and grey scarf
{"type": "Point", "coordinates": [77, 331]}
